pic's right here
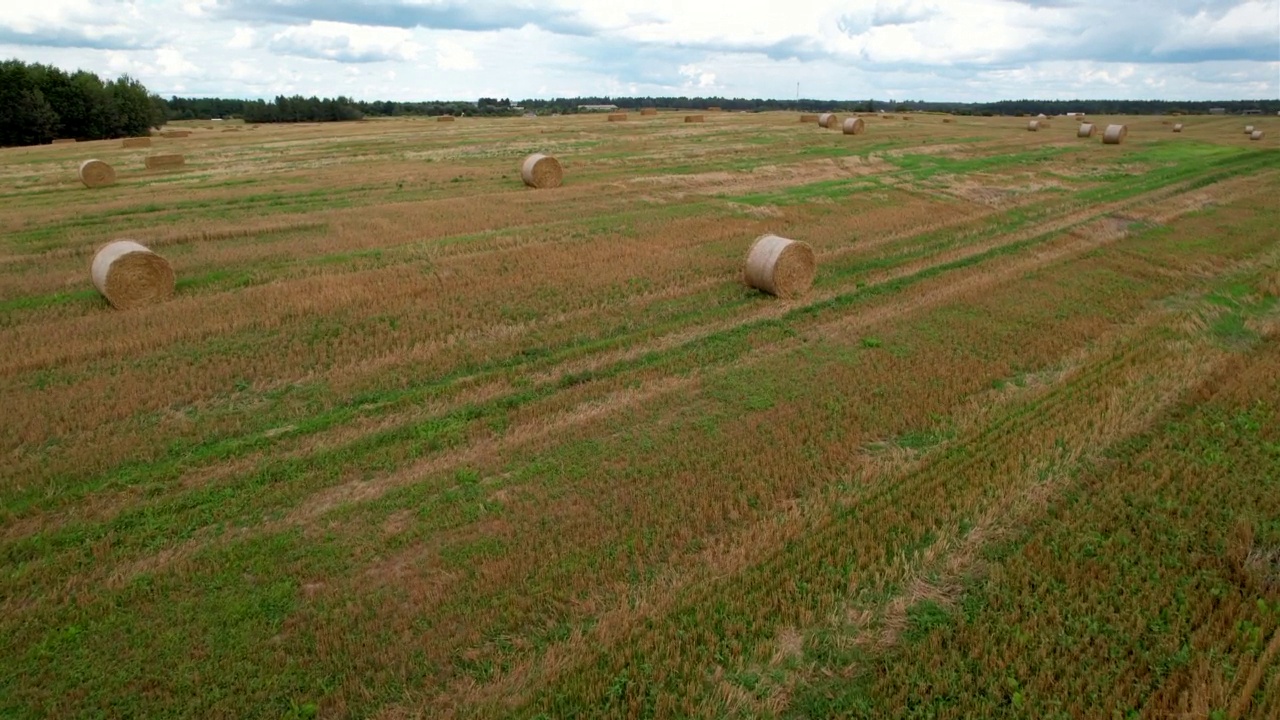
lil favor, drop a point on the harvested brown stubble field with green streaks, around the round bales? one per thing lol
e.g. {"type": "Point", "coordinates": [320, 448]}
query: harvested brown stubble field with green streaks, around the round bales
{"type": "Point", "coordinates": [415, 441]}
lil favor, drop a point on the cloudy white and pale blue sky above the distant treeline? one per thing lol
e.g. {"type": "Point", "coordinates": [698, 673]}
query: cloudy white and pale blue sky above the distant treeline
{"type": "Point", "coordinates": [941, 51]}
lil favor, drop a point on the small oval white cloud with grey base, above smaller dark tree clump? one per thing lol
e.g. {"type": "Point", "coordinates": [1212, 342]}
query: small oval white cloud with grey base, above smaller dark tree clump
{"type": "Point", "coordinates": [345, 43]}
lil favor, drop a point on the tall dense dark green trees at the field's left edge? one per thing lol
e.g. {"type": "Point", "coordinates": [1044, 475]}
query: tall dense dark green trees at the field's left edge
{"type": "Point", "coordinates": [43, 103]}
